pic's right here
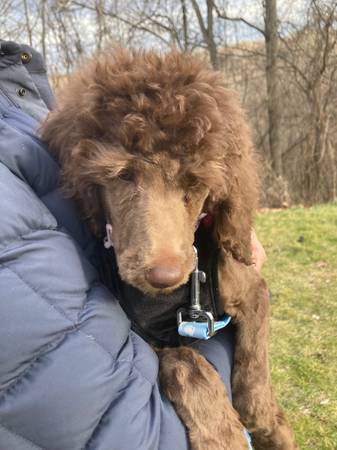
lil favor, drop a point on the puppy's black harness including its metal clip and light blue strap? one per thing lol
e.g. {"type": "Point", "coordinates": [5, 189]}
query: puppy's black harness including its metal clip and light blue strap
{"type": "Point", "coordinates": [192, 311]}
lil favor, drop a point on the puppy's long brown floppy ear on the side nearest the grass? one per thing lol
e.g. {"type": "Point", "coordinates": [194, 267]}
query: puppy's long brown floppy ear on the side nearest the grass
{"type": "Point", "coordinates": [234, 213]}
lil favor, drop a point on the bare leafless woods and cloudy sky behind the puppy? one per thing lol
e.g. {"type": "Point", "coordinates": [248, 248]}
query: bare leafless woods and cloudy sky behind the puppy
{"type": "Point", "coordinates": [281, 57]}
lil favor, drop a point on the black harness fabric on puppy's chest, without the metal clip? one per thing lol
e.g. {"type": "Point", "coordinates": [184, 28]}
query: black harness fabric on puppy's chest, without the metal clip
{"type": "Point", "coordinates": [155, 318]}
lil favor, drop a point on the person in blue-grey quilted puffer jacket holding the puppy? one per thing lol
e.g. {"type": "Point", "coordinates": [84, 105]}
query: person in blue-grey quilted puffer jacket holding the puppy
{"type": "Point", "coordinates": [73, 375]}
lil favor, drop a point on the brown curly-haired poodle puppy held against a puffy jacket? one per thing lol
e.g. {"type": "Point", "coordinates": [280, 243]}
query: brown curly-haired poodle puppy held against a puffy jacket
{"type": "Point", "coordinates": [147, 142]}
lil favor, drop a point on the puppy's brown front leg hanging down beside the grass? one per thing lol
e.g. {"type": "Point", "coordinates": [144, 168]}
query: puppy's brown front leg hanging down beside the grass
{"type": "Point", "coordinates": [246, 299]}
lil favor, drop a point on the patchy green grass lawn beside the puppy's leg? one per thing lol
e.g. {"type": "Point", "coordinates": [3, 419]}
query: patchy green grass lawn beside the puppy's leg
{"type": "Point", "coordinates": [301, 271]}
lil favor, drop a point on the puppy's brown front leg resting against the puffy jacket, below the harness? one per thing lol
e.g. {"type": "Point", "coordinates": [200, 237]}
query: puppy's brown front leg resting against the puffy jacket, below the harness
{"type": "Point", "coordinates": [199, 396]}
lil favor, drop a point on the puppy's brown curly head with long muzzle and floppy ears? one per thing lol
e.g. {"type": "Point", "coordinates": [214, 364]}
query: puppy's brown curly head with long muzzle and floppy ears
{"type": "Point", "coordinates": [146, 143]}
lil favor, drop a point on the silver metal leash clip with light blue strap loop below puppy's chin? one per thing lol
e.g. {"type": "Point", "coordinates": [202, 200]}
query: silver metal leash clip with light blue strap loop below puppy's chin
{"type": "Point", "coordinates": [195, 321]}
